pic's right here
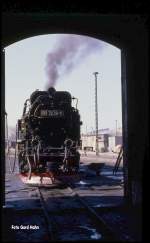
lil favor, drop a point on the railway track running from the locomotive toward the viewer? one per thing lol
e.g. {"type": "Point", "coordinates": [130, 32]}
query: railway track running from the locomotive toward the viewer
{"type": "Point", "coordinates": [82, 223]}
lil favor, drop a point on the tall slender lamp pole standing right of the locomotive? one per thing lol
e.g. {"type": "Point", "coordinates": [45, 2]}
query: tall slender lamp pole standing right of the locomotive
{"type": "Point", "coordinates": [96, 114]}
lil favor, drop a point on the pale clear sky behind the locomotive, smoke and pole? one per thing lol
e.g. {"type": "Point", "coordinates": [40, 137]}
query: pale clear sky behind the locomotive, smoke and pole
{"type": "Point", "coordinates": [25, 72]}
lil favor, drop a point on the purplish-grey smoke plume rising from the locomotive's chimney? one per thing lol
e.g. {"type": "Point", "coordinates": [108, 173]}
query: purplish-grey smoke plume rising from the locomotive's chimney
{"type": "Point", "coordinates": [69, 52]}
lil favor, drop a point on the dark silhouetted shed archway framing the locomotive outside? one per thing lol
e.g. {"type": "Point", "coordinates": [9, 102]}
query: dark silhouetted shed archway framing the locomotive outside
{"type": "Point", "coordinates": [128, 33]}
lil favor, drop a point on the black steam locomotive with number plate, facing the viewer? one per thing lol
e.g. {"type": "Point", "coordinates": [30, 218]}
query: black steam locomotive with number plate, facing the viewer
{"type": "Point", "coordinates": [48, 134]}
